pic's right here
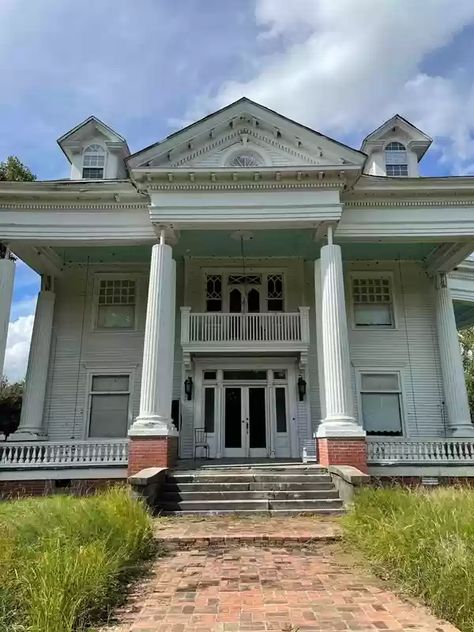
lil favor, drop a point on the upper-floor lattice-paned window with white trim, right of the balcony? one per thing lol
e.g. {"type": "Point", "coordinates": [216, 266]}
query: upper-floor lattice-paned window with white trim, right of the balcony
{"type": "Point", "coordinates": [372, 301]}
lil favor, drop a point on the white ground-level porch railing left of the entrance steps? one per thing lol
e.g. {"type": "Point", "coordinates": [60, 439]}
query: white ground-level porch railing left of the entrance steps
{"type": "Point", "coordinates": [38, 454]}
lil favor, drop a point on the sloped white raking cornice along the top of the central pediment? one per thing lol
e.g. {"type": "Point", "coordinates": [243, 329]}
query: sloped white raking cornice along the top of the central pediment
{"type": "Point", "coordinates": [242, 106]}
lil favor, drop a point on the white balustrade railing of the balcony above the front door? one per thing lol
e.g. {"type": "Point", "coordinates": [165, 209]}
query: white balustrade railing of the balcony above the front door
{"type": "Point", "coordinates": [237, 328]}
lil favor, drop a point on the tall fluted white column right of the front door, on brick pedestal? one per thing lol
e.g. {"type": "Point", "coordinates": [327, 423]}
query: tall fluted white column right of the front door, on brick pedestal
{"type": "Point", "coordinates": [339, 419]}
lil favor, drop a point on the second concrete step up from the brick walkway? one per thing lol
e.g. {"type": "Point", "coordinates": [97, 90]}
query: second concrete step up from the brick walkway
{"type": "Point", "coordinates": [171, 496]}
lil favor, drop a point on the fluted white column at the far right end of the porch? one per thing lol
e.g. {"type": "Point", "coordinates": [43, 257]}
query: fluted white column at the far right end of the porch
{"type": "Point", "coordinates": [454, 384]}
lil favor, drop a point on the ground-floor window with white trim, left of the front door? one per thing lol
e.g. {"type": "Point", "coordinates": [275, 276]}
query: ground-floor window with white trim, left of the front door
{"type": "Point", "coordinates": [109, 404]}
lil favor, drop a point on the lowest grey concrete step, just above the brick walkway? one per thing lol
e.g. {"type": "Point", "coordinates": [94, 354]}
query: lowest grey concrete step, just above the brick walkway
{"type": "Point", "coordinates": [254, 505]}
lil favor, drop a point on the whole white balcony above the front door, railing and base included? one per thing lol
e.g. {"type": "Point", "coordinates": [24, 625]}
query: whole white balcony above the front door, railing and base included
{"type": "Point", "coordinates": [228, 332]}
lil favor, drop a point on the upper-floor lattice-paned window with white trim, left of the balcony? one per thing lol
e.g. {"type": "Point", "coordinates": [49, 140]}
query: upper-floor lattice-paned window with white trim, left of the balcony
{"type": "Point", "coordinates": [116, 304]}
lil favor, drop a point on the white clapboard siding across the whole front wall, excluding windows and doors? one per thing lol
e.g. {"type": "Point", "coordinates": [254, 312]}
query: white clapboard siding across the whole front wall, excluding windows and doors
{"type": "Point", "coordinates": [76, 348]}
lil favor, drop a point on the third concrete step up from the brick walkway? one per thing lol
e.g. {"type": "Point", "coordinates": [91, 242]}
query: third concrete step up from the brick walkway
{"type": "Point", "coordinates": [176, 486]}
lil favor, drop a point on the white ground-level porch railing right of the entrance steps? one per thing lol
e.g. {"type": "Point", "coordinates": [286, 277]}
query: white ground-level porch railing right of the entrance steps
{"type": "Point", "coordinates": [419, 451]}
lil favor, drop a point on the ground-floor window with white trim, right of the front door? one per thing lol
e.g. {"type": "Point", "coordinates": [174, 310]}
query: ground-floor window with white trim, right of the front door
{"type": "Point", "coordinates": [381, 404]}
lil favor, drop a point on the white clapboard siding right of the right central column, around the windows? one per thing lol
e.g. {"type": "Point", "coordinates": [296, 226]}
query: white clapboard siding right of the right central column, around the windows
{"type": "Point", "coordinates": [411, 348]}
